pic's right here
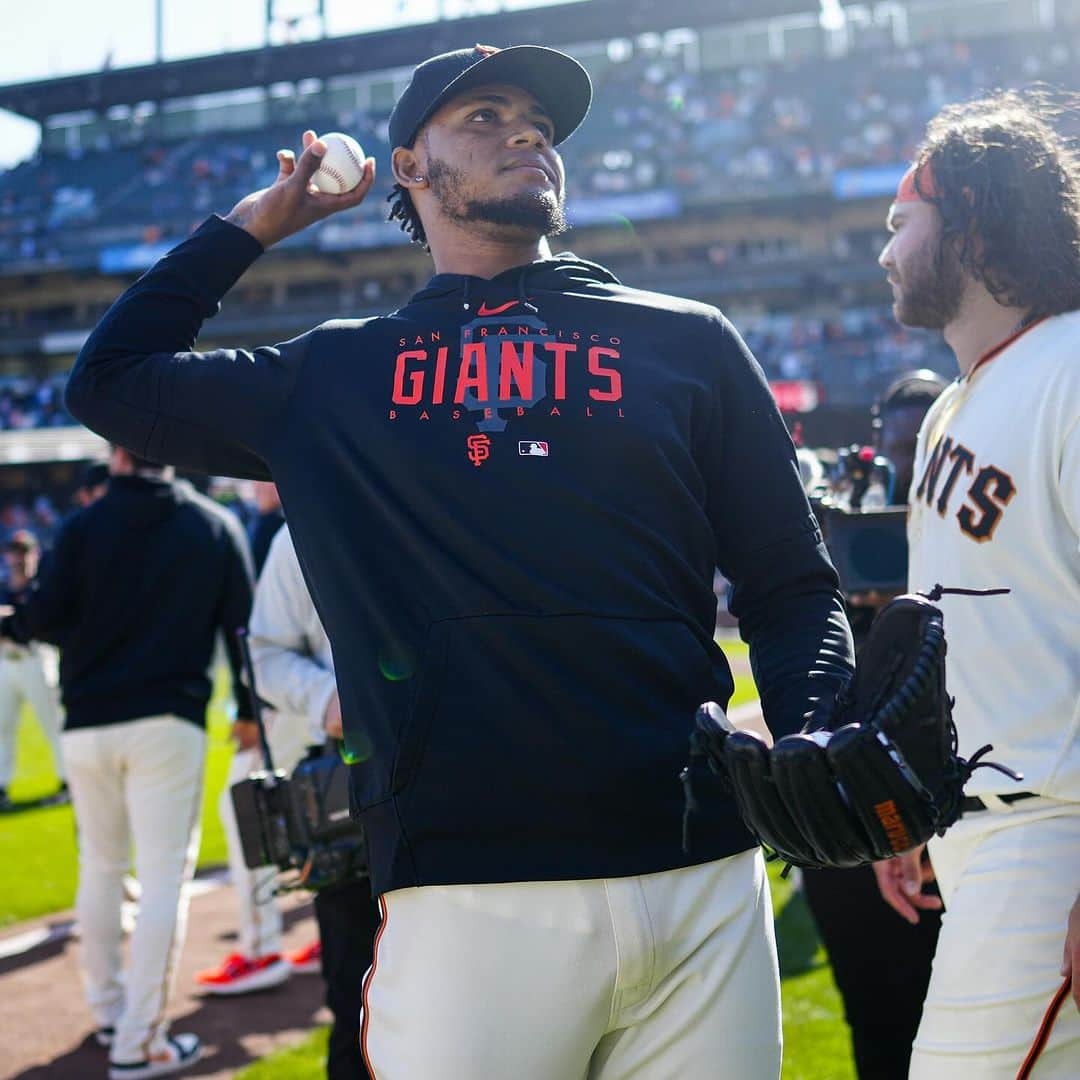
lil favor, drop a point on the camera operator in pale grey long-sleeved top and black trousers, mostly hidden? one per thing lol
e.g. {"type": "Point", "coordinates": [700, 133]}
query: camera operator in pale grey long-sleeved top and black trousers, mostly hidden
{"type": "Point", "coordinates": [295, 673]}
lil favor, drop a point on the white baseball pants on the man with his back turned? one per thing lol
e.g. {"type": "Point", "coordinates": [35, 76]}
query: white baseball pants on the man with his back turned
{"type": "Point", "coordinates": [138, 782]}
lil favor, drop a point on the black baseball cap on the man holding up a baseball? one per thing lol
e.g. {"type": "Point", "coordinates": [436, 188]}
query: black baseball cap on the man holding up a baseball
{"type": "Point", "coordinates": [559, 83]}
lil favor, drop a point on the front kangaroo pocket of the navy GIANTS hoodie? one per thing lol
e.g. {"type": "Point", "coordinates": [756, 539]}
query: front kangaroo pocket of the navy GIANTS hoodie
{"type": "Point", "coordinates": [522, 723]}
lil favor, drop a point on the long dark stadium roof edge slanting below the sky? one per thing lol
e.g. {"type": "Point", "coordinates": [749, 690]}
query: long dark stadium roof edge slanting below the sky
{"type": "Point", "coordinates": [597, 21]}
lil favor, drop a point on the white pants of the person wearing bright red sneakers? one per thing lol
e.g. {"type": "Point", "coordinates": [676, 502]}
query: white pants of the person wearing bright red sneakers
{"type": "Point", "coordinates": [261, 924]}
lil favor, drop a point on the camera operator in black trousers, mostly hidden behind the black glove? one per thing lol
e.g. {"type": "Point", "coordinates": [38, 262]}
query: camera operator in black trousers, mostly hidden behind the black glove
{"type": "Point", "coordinates": [858, 928]}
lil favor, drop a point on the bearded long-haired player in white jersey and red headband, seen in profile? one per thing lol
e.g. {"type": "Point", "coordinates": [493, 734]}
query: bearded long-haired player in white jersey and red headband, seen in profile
{"type": "Point", "coordinates": [987, 248]}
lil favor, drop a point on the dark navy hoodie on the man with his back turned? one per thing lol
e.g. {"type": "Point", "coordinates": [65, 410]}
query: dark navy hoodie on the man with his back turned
{"type": "Point", "coordinates": [136, 593]}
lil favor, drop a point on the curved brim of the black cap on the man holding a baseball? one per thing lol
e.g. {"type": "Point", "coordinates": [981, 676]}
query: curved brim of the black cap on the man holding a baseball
{"type": "Point", "coordinates": [559, 83]}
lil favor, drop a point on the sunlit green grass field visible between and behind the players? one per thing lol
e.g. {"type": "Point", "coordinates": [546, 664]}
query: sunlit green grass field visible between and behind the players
{"type": "Point", "coordinates": [42, 843]}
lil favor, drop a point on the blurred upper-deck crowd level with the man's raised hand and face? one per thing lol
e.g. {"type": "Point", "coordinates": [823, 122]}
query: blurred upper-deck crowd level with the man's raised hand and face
{"type": "Point", "coordinates": [754, 130]}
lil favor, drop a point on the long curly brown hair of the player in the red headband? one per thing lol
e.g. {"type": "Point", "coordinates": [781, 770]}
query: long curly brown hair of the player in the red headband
{"type": "Point", "coordinates": [1007, 185]}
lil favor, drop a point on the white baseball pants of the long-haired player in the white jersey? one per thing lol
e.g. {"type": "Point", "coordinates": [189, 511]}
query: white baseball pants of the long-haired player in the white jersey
{"type": "Point", "coordinates": [1009, 877]}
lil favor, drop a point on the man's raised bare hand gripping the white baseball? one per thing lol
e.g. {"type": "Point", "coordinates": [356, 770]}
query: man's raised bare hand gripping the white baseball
{"type": "Point", "coordinates": [291, 204]}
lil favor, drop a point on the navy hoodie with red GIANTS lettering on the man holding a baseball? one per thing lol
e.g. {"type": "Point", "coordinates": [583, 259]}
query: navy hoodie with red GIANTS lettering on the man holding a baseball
{"type": "Point", "coordinates": [508, 499]}
